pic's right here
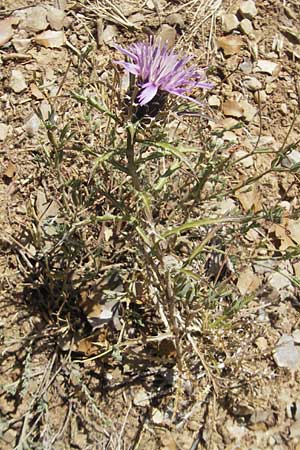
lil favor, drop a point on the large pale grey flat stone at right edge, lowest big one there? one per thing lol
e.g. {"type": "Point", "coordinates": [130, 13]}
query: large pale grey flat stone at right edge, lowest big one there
{"type": "Point", "coordinates": [286, 353]}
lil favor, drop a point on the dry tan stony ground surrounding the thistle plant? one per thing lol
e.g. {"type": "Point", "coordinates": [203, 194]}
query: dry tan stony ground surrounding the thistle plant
{"type": "Point", "coordinates": [57, 394]}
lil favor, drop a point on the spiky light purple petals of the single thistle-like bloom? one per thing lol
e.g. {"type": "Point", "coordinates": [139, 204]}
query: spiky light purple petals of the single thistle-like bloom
{"type": "Point", "coordinates": [158, 68]}
